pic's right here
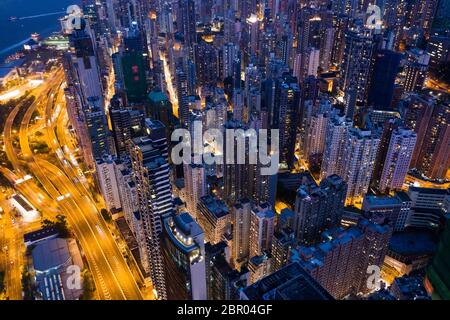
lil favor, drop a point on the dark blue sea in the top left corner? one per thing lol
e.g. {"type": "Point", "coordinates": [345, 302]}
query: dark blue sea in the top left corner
{"type": "Point", "coordinates": [40, 16]}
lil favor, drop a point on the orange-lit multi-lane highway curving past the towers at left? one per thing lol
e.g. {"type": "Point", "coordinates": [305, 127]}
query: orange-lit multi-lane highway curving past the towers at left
{"type": "Point", "coordinates": [111, 273]}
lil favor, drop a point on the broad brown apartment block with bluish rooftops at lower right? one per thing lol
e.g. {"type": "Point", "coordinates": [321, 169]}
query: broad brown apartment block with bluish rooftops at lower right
{"type": "Point", "coordinates": [341, 262]}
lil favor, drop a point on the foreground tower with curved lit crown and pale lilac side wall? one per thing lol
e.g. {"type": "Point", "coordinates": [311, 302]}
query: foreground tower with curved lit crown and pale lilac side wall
{"type": "Point", "coordinates": [183, 251]}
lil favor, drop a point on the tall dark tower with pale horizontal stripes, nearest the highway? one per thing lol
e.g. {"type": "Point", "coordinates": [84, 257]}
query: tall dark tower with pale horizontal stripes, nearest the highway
{"type": "Point", "coordinates": [151, 173]}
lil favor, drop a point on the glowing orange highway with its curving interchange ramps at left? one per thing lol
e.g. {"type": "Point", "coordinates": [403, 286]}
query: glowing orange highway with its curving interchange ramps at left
{"type": "Point", "coordinates": [61, 185]}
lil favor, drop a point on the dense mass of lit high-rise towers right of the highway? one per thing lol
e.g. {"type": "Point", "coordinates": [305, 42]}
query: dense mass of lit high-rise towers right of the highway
{"type": "Point", "coordinates": [347, 95]}
